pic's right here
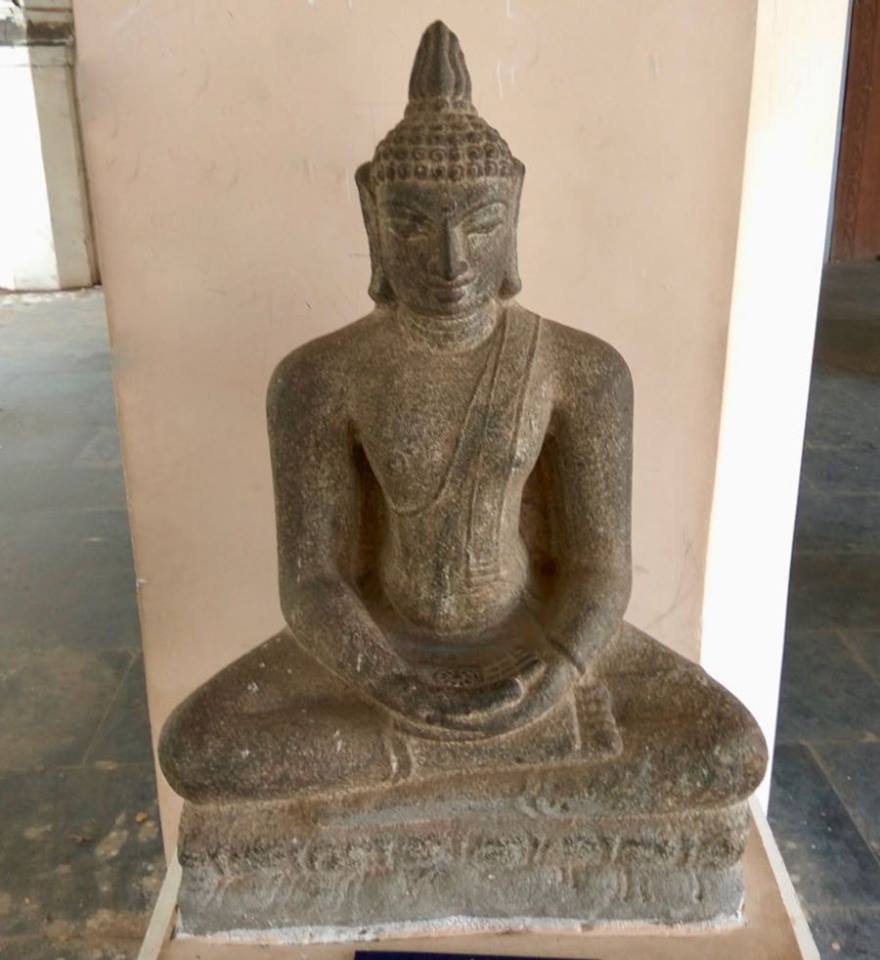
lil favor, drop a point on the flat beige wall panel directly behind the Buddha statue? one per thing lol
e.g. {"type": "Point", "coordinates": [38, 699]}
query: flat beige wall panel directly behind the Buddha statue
{"type": "Point", "coordinates": [222, 140]}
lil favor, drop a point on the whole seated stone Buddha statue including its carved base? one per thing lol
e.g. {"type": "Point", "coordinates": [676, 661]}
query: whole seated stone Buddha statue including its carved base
{"type": "Point", "coordinates": [456, 721]}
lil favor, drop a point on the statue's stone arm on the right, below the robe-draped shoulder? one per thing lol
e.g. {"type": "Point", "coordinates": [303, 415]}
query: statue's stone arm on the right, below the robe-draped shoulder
{"type": "Point", "coordinates": [591, 459]}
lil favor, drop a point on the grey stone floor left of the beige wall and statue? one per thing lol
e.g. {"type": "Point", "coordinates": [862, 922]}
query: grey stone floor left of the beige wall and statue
{"type": "Point", "coordinates": [80, 851]}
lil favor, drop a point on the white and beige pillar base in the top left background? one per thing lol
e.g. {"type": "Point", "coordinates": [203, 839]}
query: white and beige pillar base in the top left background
{"type": "Point", "coordinates": [45, 228]}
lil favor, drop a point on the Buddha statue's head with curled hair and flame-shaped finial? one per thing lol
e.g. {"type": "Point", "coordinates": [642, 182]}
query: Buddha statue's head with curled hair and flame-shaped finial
{"type": "Point", "coordinates": [441, 196]}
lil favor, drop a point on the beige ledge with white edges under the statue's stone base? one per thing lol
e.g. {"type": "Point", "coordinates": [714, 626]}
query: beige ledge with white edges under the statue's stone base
{"type": "Point", "coordinates": [774, 929]}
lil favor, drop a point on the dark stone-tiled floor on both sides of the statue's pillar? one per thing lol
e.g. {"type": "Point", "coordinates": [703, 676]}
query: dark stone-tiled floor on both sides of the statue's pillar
{"type": "Point", "coordinates": [80, 852]}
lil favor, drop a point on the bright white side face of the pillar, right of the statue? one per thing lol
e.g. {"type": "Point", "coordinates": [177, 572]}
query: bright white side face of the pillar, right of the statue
{"type": "Point", "coordinates": [798, 70]}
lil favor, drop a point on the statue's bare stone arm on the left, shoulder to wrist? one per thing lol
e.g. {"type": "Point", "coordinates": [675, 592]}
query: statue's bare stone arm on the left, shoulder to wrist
{"type": "Point", "coordinates": [317, 511]}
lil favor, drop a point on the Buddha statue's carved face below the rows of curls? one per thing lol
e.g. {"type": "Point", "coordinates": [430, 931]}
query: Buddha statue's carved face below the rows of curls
{"type": "Point", "coordinates": [446, 247]}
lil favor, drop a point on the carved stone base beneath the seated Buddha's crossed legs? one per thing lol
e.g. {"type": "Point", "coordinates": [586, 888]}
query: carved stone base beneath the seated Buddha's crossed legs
{"type": "Point", "coordinates": [470, 872]}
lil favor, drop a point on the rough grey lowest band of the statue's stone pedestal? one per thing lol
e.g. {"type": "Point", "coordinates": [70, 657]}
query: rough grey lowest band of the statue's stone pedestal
{"type": "Point", "coordinates": [459, 896]}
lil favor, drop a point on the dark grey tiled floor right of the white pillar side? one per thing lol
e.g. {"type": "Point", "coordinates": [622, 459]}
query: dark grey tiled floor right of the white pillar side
{"type": "Point", "coordinates": [825, 800]}
